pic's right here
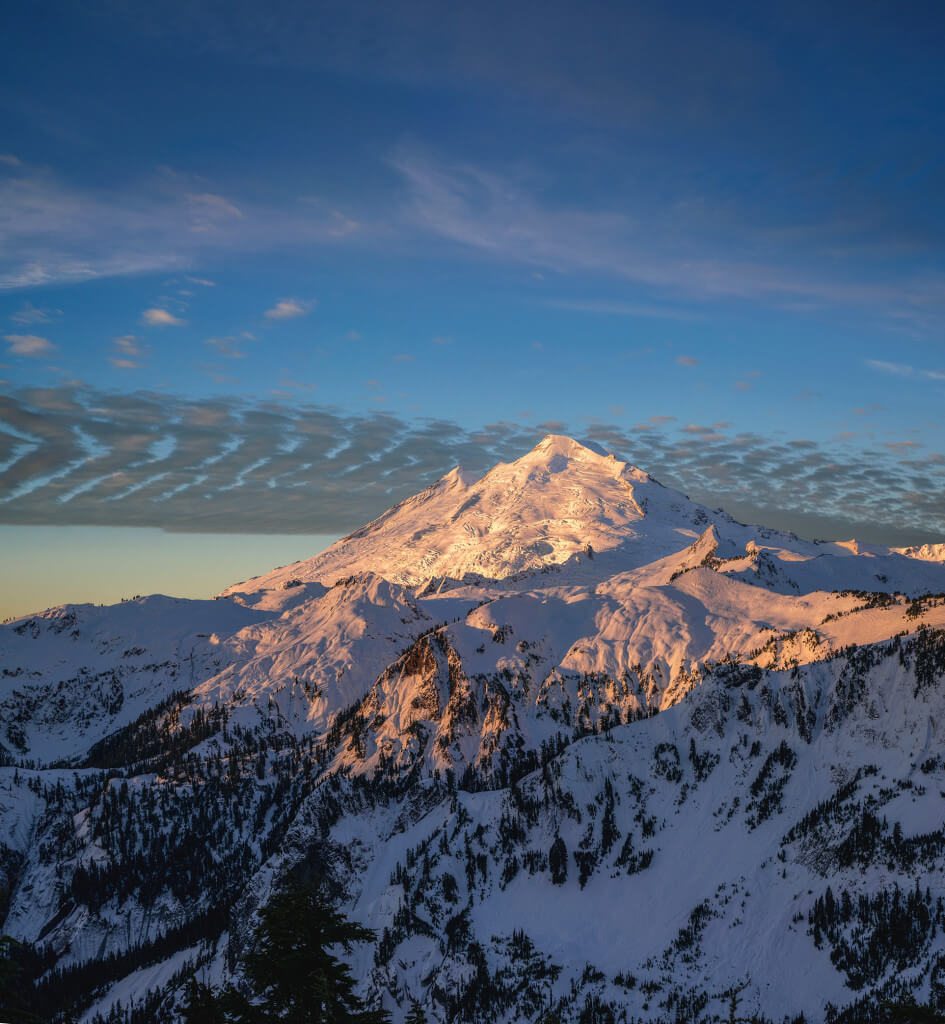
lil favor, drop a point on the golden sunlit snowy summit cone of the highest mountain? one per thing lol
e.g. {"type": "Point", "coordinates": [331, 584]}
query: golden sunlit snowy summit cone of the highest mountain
{"type": "Point", "coordinates": [549, 509]}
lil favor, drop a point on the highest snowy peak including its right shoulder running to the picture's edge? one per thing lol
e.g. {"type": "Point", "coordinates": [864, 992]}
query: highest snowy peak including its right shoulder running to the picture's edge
{"type": "Point", "coordinates": [556, 509]}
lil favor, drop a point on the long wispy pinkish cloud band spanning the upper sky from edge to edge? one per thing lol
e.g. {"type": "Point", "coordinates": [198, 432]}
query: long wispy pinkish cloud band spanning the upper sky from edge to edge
{"type": "Point", "coordinates": [676, 254]}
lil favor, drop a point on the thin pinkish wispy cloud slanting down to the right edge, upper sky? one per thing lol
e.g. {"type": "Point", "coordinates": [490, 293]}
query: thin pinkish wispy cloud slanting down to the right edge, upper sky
{"type": "Point", "coordinates": [679, 249]}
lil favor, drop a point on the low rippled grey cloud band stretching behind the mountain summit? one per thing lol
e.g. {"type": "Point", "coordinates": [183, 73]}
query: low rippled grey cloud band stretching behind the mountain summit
{"type": "Point", "coordinates": [72, 455]}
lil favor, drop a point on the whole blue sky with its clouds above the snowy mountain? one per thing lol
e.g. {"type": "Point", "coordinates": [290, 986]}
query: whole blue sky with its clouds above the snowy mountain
{"type": "Point", "coordinates": [710, 235]}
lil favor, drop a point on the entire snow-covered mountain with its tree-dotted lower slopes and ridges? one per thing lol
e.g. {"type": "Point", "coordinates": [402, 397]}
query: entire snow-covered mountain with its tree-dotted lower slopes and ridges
{"type": "Point", "coordinates": [569, 742]}
